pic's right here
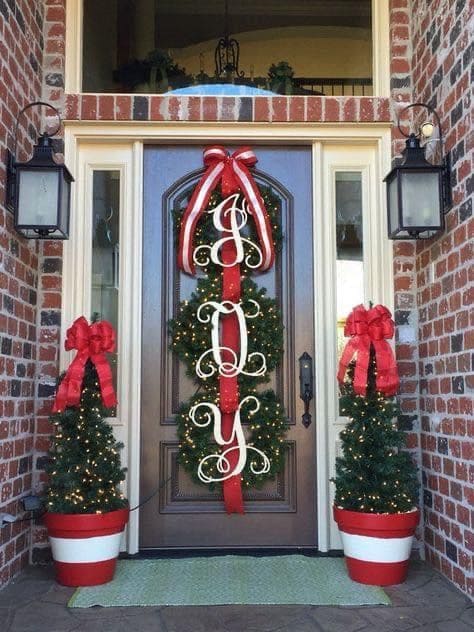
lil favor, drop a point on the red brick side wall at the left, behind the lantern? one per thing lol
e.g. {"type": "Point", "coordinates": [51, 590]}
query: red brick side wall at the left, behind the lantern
{"type": "Point", "coordinates": [21, 59]}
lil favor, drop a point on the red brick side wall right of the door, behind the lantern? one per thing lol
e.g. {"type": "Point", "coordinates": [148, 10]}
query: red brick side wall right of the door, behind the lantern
{"type": "Point", "coordinates": [442, 63]}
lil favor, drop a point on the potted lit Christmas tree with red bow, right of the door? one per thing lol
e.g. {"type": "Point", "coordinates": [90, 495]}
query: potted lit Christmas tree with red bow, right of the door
{"type": "Point", "coordinates": [376, 497]}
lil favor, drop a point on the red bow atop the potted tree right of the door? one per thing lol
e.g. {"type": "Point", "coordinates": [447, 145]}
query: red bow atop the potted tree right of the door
{"type": "Point", "coordinates": [368, 328]}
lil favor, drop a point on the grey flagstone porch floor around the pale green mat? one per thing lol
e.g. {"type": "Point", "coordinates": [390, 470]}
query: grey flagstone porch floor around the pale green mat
{"type": "Point", "coordinates": [425, 602]}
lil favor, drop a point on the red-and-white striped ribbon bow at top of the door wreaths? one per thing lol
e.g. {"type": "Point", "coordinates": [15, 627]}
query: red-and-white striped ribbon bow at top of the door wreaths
{"type": "Point", "coordinates": [233, 173]}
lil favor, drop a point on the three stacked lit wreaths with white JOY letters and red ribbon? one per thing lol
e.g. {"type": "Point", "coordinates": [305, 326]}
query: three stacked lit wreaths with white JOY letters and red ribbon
{"type": "Point", "coordinates": [229, 334]}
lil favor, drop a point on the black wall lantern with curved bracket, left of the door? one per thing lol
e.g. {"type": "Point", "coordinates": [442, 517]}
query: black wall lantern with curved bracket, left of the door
{"type": "Point", "coordinates": [38, 192]}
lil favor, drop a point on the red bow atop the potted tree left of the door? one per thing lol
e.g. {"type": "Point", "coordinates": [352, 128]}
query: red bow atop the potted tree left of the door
{"type": "Point", "coordinates": [91, 342]}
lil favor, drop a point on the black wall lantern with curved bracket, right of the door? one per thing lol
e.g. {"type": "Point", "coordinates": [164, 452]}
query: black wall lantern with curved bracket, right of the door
{"type": "Point", "coordinates": [418, 192]}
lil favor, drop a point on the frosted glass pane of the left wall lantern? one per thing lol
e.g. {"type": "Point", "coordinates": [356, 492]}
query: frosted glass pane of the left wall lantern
{"type": "Point", "coordinates": [37, 197]}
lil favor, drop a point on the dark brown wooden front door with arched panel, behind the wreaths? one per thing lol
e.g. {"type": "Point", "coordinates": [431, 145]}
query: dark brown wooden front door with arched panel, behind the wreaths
{"type": "Point", "coordinates": [186, 514]}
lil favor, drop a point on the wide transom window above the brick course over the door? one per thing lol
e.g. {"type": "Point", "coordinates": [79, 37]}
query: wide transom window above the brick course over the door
{"type": "Point", "coordinates": [303, 47]}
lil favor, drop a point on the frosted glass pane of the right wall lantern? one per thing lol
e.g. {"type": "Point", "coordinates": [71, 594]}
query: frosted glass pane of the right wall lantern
{"type": "Point", "coordinates": [420, 198]}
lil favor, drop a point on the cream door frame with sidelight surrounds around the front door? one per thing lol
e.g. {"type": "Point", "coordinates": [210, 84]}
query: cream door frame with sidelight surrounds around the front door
{"type": "Point", "coordinates": [90, 146]}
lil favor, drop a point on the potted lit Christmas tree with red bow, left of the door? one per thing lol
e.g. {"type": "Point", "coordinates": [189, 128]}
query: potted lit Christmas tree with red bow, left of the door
{"type": "Point", "coordinates": [86, 512]}
